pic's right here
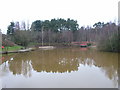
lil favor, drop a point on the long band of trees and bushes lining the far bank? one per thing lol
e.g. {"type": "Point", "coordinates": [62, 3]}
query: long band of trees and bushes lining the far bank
{"type": "Point", "coordinates": [65, 31]}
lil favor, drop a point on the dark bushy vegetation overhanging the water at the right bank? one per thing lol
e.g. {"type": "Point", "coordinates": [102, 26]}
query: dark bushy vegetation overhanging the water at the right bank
{"type": "Point", "coordinates": [109, 40]}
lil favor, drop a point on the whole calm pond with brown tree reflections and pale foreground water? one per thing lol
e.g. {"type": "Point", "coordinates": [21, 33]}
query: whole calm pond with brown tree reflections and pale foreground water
{"type": "Point", "coordinates": [60, 68]}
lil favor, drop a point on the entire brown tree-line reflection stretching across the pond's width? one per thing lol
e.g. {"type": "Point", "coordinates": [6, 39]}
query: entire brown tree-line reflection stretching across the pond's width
{"type": "Point", "coordinates": [64, 60]}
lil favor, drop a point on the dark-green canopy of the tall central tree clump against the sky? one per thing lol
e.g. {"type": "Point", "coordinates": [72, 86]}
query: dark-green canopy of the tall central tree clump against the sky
{"type": "Point", "coordinates": [55, 25]}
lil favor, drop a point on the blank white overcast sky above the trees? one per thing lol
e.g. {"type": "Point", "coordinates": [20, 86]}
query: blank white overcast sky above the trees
{"type": "Point", "coordinates": [86, 12]}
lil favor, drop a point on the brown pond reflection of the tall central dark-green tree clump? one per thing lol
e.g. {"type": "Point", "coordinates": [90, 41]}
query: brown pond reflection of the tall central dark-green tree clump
{"type": "Point", "coordinates": [55, 61]}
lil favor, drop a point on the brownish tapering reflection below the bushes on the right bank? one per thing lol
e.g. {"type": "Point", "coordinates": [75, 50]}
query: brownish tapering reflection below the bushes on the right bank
{"type": "Point", "coordinates": [108, 64]}
